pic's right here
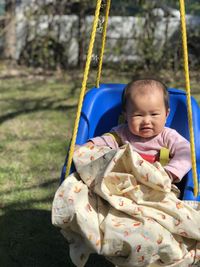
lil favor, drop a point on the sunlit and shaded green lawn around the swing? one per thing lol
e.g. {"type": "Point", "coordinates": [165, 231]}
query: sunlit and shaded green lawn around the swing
{"type": "Point", "coordinates": [36, 121]}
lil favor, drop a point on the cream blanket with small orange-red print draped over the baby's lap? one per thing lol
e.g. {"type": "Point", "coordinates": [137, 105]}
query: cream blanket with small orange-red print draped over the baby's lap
{"type": "Point", "coordinates": [118, 205]}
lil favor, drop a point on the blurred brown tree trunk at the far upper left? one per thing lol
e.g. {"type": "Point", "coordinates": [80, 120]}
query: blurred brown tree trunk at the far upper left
{"type": "Point", "coordinates": [10, 31]}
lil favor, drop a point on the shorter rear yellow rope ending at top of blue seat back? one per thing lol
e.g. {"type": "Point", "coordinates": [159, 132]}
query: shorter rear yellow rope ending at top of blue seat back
{"type": "Point", "coordinates": [103, 43]}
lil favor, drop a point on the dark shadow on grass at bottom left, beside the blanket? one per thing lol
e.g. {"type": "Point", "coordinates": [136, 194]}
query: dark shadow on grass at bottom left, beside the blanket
{"type": "Point", "coordinates": [28, 239]}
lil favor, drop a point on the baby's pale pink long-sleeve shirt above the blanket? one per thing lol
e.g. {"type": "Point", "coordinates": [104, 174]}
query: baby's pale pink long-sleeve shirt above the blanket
{"type": "Point", "coordinates": [179, 147]}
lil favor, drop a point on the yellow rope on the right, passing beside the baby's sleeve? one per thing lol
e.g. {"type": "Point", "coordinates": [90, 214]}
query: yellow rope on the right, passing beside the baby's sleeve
{"type": "Point", "coordinates": [189, 107]}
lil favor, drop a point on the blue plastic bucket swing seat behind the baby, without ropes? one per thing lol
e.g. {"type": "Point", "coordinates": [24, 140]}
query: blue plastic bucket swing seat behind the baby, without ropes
{"type": "Point", "coordinates": [102, 108]}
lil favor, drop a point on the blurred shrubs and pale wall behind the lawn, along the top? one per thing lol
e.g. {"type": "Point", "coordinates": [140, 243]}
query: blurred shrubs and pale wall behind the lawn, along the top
{"type": "Point", "coordinates": [55, 34]}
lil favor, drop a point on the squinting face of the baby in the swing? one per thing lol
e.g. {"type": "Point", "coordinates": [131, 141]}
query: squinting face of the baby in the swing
{"type": "Point", "coordinates": [146, 113]}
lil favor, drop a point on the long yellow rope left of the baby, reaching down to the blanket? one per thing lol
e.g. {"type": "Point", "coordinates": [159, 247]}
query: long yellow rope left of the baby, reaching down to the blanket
{"type": "Point", "coordinates": [83, 87]}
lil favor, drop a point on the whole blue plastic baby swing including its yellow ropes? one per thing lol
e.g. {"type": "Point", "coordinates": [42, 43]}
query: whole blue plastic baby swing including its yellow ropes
{"type": "Point", "coordinates": [100, 108]}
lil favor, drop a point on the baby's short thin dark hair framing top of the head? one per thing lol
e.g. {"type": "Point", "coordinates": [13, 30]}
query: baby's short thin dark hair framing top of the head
{"type": "Point", "coordinates": [143, 82]}
